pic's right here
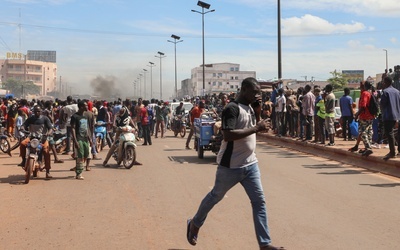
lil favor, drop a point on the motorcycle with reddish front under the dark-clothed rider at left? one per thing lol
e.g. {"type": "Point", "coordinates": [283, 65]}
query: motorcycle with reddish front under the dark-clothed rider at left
{"type": "Point", "coordinates": [33, 157]}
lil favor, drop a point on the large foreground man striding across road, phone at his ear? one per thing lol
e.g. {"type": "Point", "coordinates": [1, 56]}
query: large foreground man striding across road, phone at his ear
{"type": "Point", "coordinates": [237, 163]}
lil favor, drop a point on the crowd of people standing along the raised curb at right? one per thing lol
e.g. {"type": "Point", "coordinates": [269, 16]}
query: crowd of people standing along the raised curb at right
{"type": "Point", "coordinates": [309, 115]}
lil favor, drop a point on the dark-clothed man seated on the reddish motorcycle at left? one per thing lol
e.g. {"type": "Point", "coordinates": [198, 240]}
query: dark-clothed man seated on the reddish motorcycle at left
{"type": "Point", "coordinates": [39, 124]}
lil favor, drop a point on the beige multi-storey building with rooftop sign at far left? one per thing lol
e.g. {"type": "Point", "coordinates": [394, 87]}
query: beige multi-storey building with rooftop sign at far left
{"type": "Point", "coordinates": [42, 71]}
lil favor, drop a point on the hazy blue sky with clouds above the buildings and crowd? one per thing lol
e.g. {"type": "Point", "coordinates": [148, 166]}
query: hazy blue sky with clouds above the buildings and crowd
{"type": "Point", "coordinates": [119, 38]}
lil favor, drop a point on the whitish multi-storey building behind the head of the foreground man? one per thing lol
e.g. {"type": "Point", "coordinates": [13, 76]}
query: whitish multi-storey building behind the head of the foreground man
{"type": "Point", "coordinates": [219, 77]}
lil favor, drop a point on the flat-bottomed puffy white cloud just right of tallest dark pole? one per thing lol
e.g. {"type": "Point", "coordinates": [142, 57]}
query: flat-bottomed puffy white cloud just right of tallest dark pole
{"type": "Point", "coordinates": [312, 25]}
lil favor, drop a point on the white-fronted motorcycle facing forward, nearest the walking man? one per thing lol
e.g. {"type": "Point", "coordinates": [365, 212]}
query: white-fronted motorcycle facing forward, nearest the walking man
{"type": "Point", "coordinates": [125, 150]}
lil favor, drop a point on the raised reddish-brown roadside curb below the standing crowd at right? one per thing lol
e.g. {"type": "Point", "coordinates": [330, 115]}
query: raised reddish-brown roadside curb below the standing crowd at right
{"type": "Point", "coordinates": [372, 163]}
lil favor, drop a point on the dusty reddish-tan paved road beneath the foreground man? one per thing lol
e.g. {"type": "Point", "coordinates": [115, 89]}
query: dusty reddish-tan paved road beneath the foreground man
{"type": "Point", "coordinates": [313, 203]}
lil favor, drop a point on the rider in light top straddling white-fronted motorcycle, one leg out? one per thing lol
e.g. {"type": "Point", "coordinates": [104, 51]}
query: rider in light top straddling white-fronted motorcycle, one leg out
{"type": "Point", "coordinates": [123, 120]}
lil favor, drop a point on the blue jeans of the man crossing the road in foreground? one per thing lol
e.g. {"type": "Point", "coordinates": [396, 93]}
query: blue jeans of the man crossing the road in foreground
{"type": "Point", "coordinates": [250, 179]}
